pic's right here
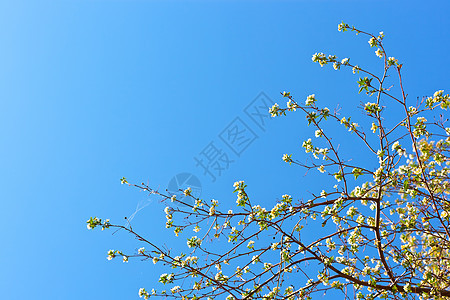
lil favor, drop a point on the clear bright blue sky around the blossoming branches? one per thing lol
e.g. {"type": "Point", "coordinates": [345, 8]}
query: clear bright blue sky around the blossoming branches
{"type": "Point", "coordinates": [91, 91]}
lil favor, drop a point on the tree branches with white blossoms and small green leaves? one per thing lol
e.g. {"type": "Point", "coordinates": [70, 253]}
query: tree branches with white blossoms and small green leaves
{"type": "Point", "coordinates": [384, 230]}
